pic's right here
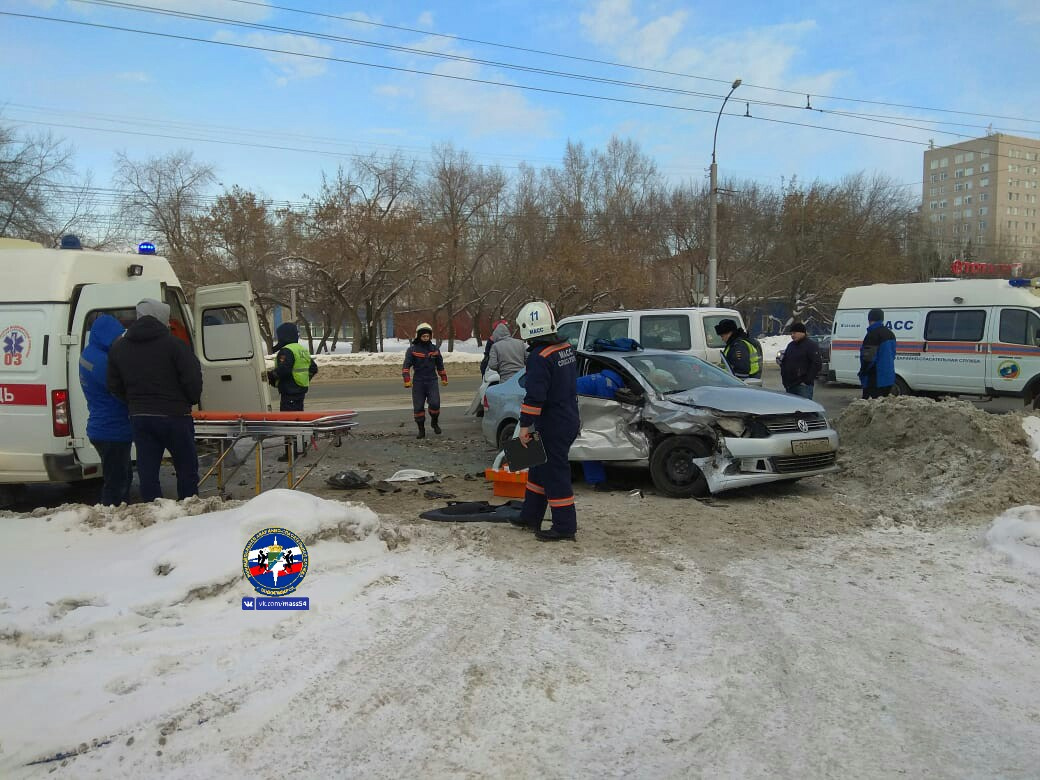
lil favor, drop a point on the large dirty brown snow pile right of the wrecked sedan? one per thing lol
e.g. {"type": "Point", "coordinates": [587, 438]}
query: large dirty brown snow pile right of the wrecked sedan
{"type": "Point", "coordinates": [925, 462]}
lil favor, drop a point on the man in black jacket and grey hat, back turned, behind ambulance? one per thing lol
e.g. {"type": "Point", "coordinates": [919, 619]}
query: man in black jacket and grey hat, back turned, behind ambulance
{"type": "Point", "coordinates": [160, 378]}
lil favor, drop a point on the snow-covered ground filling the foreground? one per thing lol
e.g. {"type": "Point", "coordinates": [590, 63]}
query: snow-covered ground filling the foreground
{"type": "Point", "coordinates": [474, 652]}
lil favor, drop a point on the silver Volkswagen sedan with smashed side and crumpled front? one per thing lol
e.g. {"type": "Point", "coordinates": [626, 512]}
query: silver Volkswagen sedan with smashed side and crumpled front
{"type": "Point", "coordinates": [698, 429]}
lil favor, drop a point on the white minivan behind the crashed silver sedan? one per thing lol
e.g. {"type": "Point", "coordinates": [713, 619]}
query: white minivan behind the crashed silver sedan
{"type": "Point", "coordinates": [690, 331]}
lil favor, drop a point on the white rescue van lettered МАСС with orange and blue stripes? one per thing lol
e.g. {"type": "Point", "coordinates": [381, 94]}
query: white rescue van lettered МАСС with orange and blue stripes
{"type": "Point", "coordinates": [960, 337]}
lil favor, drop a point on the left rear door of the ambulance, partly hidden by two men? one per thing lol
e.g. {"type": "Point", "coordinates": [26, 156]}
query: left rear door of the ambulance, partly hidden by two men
{"type": "Point", "coordinates": [120, 300]}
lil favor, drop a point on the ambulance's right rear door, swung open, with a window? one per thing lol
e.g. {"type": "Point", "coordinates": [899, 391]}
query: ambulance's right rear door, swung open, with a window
{"type": "Point", "coordinates": [231, 350]}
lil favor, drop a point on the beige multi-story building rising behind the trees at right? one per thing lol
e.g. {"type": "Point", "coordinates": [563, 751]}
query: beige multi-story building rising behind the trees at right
{"type": "Point", "coordinates": [986, 192]}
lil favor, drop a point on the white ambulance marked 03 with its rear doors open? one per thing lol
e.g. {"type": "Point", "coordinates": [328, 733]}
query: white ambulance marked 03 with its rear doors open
{"type": "Point", "coordinates": [49, 299]}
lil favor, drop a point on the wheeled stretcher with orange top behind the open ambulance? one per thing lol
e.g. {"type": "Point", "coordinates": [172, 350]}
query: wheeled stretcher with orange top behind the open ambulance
{"type": "Point", "coordinates": [227, 429]}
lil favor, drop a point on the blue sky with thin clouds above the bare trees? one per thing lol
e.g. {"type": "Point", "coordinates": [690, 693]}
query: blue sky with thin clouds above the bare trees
{"type": "Point", "coordinates": [971, 57]}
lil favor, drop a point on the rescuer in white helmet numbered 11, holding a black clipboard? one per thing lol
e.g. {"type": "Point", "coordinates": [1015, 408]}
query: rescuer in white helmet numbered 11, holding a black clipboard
{"type": "Point", "coordinates": [552, 408]}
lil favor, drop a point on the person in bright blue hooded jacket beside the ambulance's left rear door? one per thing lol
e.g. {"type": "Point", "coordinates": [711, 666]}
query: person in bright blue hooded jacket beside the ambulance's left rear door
{"type": "Point", "coordinates": [109, 422]}
